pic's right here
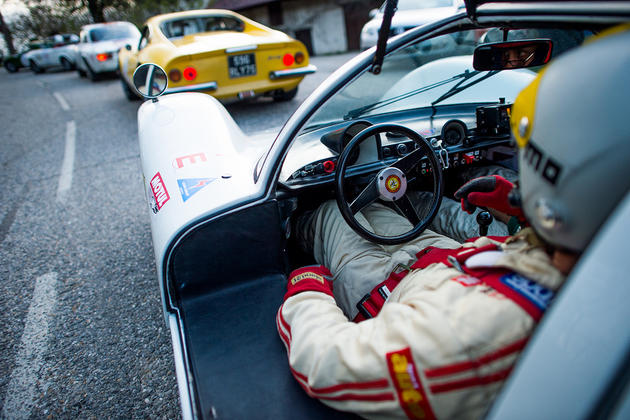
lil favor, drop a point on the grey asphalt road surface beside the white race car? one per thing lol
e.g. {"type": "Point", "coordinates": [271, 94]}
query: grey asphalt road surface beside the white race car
{"type": "Point", "coordinates": [82, 333]}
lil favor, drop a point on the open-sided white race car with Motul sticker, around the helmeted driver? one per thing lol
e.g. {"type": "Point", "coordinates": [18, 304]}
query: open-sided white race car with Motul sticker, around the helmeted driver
{"type": "Point", "coordinates": [222, 206]}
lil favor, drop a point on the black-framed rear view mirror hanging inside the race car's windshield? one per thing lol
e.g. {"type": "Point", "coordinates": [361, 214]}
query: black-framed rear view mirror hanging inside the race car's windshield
{"type": "Point", "coordinates": [512, 54]}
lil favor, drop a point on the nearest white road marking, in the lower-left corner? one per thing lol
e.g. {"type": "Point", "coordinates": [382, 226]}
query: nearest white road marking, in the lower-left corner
{"type": "Point", "coordinates": [20, 395]}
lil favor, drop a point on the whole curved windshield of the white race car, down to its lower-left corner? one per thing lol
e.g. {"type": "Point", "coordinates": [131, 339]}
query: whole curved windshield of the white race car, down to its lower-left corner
{"type": "Point", "coordinates": [419, 86]}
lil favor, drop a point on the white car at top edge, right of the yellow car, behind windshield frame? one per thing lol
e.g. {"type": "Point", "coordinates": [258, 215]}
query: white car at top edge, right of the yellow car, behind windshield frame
{"type": "Point", "coordinates": [410, 13]}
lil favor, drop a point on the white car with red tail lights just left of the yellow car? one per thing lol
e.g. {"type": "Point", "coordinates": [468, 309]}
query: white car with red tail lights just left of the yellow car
{"type": "Point", "coordinates": [99, 46]}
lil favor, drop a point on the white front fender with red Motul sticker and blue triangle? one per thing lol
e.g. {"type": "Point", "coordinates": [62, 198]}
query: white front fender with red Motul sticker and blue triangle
{"type": "Point", "coordinates": [196, 162]}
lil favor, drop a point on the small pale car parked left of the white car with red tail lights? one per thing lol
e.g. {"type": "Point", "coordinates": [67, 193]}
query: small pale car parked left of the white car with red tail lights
{"type": "Point", "coordinates": [57, 51]}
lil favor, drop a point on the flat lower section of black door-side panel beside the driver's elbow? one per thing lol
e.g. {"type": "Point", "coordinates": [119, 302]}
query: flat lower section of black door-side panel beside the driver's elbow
{"type": "Point", "coordinates": [239, 363]}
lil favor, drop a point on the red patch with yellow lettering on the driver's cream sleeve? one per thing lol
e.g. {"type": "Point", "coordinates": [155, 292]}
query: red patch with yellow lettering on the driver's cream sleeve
{"type": "Point", "coordinates": [412, 397]}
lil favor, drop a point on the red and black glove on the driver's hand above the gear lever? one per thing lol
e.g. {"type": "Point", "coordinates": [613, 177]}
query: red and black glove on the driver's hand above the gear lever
{"type": "Point", "coordinates": [488, 191]}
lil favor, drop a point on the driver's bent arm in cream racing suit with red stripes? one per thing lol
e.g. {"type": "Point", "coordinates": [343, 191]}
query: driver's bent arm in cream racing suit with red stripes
{"type": "Point", "coordinates": [419, 358]}
